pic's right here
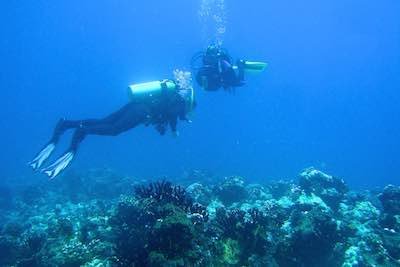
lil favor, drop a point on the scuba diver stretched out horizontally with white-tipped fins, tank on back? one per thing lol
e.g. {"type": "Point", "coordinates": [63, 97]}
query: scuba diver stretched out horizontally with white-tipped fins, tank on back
{"type": "Point", "coordinates": [158, 103]}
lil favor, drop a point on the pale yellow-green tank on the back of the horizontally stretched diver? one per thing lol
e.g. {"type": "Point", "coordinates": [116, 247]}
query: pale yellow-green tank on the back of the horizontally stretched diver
{"type": "Point", "coordinates": [150, 89]}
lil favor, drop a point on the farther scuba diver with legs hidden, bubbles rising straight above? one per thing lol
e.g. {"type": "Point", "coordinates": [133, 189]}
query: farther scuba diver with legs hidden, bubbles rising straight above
{"type": "Point", "coordinates": [215, 69]}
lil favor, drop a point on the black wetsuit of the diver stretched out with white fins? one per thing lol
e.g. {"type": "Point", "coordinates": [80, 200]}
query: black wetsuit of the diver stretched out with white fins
{"type": "Point", "coordinates": [162, 112]}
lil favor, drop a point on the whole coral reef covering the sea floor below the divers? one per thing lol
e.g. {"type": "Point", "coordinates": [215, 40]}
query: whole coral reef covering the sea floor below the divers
{"type": "Point", "coordinates": [100, 218]}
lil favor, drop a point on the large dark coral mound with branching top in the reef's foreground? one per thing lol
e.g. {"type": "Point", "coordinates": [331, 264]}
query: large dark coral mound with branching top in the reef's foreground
{"type": "Point", "coordinates": [160, 226]}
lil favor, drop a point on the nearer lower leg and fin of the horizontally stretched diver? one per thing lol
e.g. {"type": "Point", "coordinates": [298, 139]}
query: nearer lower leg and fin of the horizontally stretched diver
{"type": "Point", "coordinates": [129, 118]}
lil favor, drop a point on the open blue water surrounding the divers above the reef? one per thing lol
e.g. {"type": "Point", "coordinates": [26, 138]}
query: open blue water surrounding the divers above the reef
{"type": "Point", "coordinates": [330, 97]}
